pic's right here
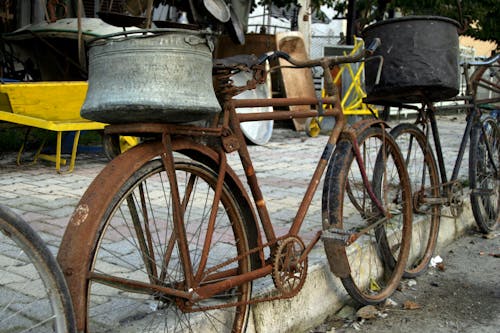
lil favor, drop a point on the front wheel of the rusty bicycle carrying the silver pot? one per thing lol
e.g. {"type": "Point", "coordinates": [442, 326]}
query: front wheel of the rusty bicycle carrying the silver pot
{"type": "Point", "coordinates": [360, 266]}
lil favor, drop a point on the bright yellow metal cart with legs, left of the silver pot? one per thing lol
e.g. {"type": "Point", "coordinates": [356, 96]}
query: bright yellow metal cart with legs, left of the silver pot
{"type": "Point", "coordinates": [52, 106]}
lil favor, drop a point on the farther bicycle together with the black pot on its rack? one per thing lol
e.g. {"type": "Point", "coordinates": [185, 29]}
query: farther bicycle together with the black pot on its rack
{"type": "Point", "coordinates": [424, 75]}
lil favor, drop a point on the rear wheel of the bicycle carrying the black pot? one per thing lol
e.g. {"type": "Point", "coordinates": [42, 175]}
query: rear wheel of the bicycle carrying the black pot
{"type": "Point", "coordinates": [424, 180]}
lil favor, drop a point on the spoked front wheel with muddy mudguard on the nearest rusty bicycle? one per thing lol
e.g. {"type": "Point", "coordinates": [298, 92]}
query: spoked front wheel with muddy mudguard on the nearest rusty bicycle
{"type": "Point", "coordinates": [359, 221]}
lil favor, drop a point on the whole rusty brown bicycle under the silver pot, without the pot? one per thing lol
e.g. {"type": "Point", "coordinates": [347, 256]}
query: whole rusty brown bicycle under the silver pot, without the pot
{"type": "Point", "coordinates": [168, 236]}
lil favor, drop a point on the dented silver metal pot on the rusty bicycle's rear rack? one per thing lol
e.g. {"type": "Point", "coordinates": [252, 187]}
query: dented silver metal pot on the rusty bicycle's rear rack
{"type": "Point", "coordinates": [162, 77]}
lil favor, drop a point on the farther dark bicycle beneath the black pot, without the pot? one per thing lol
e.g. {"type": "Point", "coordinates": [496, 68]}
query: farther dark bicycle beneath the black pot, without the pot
{"type": "Point", "coordinates": [422, 149]}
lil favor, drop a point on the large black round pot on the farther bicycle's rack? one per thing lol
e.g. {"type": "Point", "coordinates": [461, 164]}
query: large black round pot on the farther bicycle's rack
{"type": "Point", "coordinates": [420, 57]}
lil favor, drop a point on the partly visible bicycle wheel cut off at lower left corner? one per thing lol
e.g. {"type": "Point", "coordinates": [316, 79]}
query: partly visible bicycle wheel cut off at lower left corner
{"type": "Point", "coordinates": [33, 292]}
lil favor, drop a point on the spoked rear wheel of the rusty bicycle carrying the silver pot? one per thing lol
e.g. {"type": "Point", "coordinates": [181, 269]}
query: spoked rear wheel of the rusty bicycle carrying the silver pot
{"type": "Point", "coordinates": [157, 312]}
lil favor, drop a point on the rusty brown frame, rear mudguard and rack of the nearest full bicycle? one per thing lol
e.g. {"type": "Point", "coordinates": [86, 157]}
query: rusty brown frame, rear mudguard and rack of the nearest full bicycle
{"type": "Point", "coordinates": [205, 281]}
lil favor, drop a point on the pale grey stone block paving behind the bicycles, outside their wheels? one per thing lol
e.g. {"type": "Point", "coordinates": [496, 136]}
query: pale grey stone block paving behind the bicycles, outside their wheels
{"type": "Point", "coordinates": [46, 199]}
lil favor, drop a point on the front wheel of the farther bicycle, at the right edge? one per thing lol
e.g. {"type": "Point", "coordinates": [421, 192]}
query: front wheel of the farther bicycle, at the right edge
{"type": "Point", "coordinates": [483, 180]}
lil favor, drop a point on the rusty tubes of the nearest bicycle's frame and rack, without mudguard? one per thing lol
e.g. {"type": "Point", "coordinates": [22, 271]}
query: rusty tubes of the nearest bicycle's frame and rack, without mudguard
{"type": "Point", "coordinates": [232, 279]}
